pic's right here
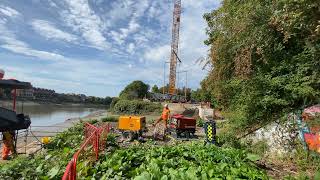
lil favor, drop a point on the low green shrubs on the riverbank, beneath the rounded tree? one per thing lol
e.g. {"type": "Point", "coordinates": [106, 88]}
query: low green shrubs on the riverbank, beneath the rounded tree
{"type": "Point", "coordinates": [136, 107]}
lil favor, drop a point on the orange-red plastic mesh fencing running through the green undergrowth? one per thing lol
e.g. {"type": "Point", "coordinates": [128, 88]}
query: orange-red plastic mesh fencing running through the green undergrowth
{"type": "Point", "coordinates": [94, 142]}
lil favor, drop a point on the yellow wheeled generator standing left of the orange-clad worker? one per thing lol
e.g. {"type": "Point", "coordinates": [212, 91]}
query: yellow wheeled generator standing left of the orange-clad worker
{"type": "Point", "coordinates": [132, 127]}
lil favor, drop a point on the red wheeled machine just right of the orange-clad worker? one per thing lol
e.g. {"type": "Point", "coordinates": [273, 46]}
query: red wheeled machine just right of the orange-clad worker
{"type": "Point", "coordinates": [182, 126]}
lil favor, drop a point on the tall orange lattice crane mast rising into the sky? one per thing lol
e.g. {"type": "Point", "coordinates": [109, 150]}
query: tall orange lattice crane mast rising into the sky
{"type": "Point", "coordinates": [174, 46]}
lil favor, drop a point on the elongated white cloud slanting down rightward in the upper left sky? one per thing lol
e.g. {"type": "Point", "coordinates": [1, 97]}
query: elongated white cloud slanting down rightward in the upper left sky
{"type": "Point", "coordinates": [49, 31]}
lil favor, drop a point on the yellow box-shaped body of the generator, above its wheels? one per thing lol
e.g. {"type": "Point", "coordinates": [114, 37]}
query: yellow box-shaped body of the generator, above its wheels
{"type": "Point", "coordinates": [131, 123]}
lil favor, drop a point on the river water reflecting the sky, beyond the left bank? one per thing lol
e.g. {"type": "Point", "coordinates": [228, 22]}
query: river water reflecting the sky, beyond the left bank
{"type": "Point", "coordinates": [46, 115]}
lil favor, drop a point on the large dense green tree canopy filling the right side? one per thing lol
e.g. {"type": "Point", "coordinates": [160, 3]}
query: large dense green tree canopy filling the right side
{"type": "Point", "coordinates": [265, 57]}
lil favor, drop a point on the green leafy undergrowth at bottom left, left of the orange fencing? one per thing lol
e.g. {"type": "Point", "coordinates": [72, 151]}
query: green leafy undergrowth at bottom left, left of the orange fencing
{"type": "Point", "coordinates": [46, 165]}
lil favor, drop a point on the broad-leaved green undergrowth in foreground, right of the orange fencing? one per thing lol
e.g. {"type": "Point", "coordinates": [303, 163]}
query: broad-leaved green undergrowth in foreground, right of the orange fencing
{"type": "Point", "coordinates": [183, 161]}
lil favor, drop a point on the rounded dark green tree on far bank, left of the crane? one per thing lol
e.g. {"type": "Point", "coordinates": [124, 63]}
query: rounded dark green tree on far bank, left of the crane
{"type": "Point", "coordinates": [135, 90]}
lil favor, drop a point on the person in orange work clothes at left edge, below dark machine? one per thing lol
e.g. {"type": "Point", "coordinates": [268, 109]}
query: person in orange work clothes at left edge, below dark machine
{"type": "Point", "coordinates": [8, 147]}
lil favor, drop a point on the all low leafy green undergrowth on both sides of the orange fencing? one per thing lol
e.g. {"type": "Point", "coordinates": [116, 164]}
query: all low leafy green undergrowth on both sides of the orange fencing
{"type": "Point", "coordinates": [144, 161]}
